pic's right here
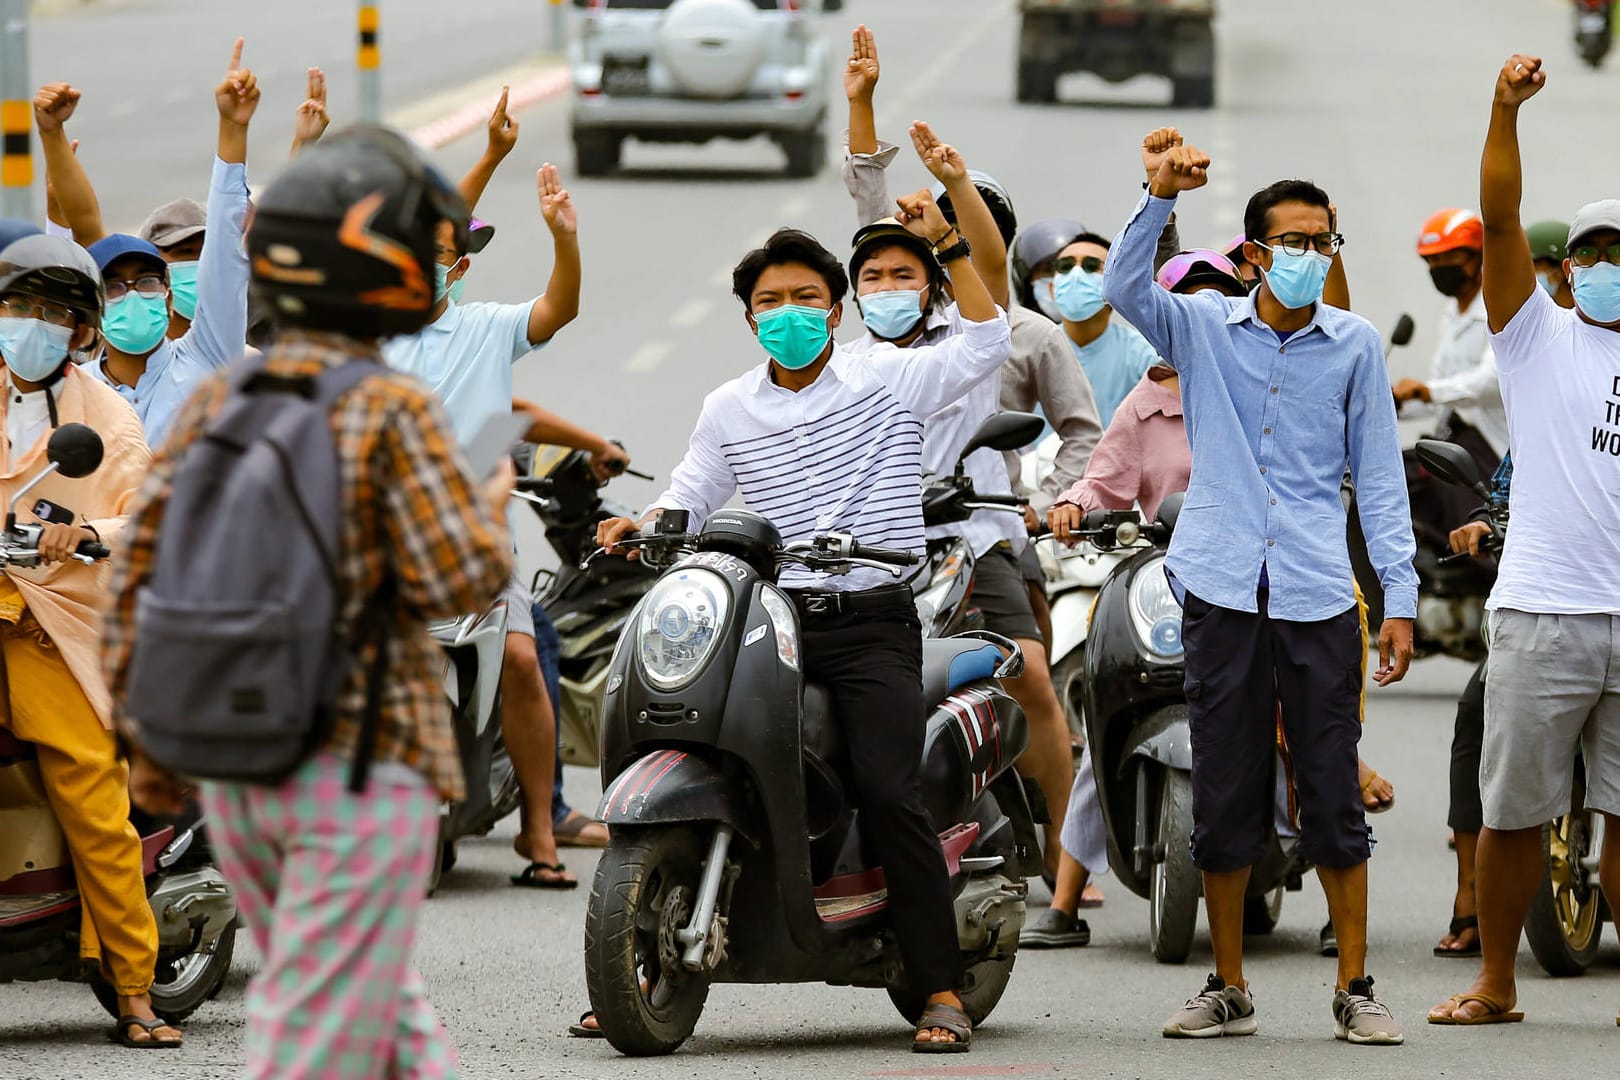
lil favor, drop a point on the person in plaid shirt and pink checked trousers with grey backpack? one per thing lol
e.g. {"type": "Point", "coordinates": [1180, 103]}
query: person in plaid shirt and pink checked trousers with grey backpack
{"type": "Point", "coordinates": [268, 629]}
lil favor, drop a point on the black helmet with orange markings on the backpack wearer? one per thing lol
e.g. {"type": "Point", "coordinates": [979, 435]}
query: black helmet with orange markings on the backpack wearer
{"type": "Point", "coordinates": [346, 237]}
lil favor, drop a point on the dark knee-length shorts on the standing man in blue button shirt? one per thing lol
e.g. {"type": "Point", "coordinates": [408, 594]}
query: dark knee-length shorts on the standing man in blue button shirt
{"type": "Point", "coordinates": [1240, 668]}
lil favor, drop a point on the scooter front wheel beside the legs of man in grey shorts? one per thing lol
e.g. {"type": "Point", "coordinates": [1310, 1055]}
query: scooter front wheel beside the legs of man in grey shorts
{"type": "Point", "coordinates": [1566, 922]}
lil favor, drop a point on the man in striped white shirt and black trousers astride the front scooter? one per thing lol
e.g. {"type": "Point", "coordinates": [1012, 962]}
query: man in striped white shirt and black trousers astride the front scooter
{"type": "Point", "coordinates": [783, 436]}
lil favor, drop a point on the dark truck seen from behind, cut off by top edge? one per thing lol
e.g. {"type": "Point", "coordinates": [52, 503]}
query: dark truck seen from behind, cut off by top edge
{"type": "Point", "coordinates": [1119, 40]}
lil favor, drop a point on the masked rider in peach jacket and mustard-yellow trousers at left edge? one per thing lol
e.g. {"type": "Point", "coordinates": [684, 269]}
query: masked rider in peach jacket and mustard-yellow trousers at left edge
{"type": "Point", "coordinates": [51, 302]}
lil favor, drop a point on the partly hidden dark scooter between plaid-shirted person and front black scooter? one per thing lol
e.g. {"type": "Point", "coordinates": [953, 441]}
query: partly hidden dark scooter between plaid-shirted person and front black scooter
{"type": "Point", "coordinates": [589, 603]}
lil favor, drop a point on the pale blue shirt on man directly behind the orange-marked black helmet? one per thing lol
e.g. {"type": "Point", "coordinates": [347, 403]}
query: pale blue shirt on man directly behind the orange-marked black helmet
{"type": "Point", "coordinates": [467, 355]}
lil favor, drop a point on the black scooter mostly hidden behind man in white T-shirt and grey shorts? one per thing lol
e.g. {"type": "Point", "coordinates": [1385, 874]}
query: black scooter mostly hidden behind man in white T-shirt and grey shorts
{"type": "Point", "coordinates": [1566, 922]}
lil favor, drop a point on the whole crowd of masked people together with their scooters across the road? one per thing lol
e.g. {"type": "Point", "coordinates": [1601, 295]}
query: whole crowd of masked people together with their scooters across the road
{"type": "Point", "coordinates": [163, 386]}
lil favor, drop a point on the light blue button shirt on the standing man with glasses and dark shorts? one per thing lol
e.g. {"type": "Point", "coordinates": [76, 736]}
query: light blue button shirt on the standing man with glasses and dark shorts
{"type": "Point", "coordinates": [1273, 428]}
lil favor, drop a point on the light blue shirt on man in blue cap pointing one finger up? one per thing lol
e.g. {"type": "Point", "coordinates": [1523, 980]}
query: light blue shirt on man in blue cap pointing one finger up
{"type": "Point", "coordinates": [220, 333]}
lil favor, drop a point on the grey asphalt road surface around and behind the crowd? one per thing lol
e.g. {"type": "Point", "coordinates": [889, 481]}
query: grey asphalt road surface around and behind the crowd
{"type": "Point", "coordinates": [1383, 103]}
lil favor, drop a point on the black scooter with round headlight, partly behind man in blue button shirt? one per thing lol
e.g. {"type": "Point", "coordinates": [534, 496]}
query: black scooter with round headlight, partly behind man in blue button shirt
{"type": "Point", "coordinates": [1136, 721]}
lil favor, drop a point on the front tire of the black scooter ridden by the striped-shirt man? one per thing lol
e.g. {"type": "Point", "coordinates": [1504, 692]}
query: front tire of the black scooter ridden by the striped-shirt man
{"type": "Point", "coordinates": [646, 890]}
